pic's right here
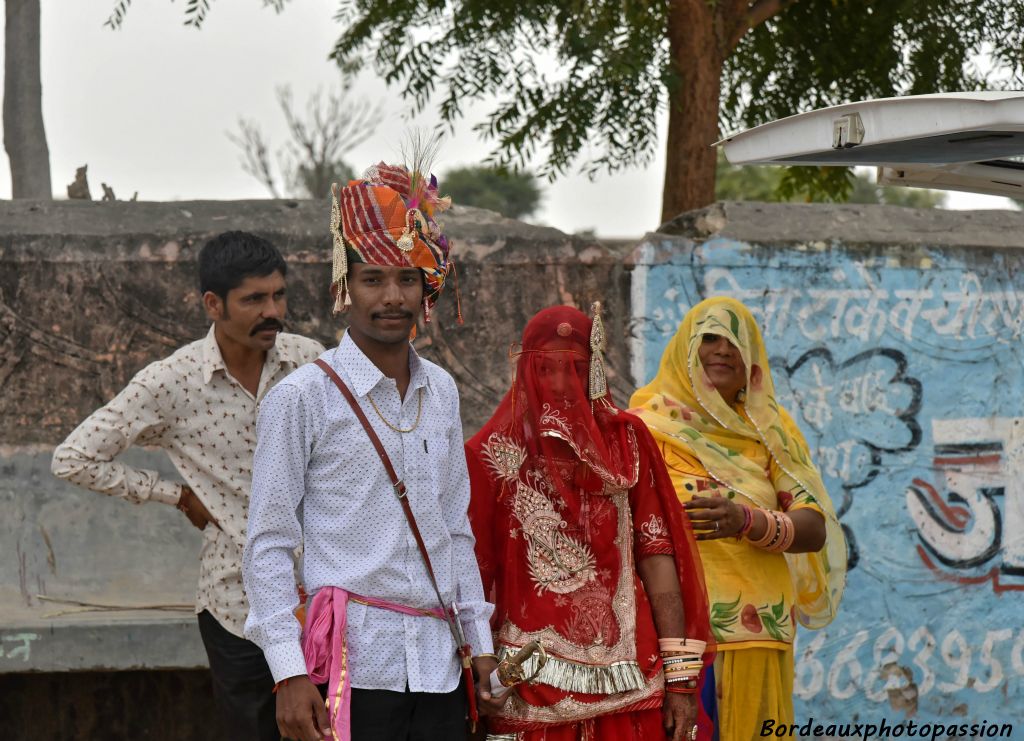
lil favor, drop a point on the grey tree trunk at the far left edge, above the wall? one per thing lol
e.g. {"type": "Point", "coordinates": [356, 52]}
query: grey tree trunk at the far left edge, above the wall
{"type": "Point", "coordinates": [24, 137]}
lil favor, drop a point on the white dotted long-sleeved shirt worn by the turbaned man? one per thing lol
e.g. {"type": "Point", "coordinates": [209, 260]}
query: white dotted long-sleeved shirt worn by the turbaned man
{"type": "Point", "coordinates": [318, 481]}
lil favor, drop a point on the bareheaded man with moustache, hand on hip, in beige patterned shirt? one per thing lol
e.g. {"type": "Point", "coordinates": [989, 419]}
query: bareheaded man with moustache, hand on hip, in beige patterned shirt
{"type": "Point", "coordinates": [200, 406]}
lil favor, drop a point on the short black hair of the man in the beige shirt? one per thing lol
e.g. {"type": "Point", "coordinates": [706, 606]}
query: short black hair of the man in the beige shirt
{"type": "Point", "coordinates": [230, 258]}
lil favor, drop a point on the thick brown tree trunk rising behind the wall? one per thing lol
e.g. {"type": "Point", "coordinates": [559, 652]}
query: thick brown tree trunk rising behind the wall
{"type": "Point", "coordinates": [694, 99]}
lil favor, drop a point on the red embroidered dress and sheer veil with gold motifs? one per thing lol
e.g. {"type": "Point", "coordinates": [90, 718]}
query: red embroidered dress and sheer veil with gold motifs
{"type": "Point", "coordinates": [569, 495]}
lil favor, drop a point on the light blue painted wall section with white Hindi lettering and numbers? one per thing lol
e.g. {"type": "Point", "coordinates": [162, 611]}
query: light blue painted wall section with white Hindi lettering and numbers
{"type": "Point", "coordinates": [904, 368]}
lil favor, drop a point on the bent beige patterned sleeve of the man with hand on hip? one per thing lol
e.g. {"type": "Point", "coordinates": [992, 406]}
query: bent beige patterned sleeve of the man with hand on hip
{"type": "Point", "coordinates": [88, 458]}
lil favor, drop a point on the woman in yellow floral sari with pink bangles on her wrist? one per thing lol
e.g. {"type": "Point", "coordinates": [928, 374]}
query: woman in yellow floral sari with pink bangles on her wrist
{"type": "Point", "coordinates": [773, 550]}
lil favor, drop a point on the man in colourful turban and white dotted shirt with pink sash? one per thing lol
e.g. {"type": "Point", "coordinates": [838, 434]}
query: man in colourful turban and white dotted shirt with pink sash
{"type": "Point", "coordinates": [374, 632]}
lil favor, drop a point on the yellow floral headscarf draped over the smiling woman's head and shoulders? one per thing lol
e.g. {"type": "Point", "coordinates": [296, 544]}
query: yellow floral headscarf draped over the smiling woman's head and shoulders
{"type": "Point", "coordinates": [684, 410]}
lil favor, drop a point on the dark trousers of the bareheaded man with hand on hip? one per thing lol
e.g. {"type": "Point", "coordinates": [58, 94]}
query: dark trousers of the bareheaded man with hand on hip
{"type": "Point", "coordinates": [243, 686]}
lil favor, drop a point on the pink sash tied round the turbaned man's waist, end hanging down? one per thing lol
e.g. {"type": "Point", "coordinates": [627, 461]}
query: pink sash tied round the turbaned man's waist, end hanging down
{"type": "Point", "coordinates": [327, 653]}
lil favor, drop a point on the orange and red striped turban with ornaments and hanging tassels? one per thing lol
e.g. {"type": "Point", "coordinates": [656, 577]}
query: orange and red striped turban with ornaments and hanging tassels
{"type": "Point", "coordinates": [388, 219]}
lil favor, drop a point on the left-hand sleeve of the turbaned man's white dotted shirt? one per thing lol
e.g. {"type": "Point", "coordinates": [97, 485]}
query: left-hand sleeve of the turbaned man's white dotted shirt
{"type": "Point", "coordinates": [284, 432]}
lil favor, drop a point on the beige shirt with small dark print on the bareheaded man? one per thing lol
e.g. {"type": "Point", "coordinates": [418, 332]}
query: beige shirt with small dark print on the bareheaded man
{"type": "Point", "coordinates": [191, 407]}
